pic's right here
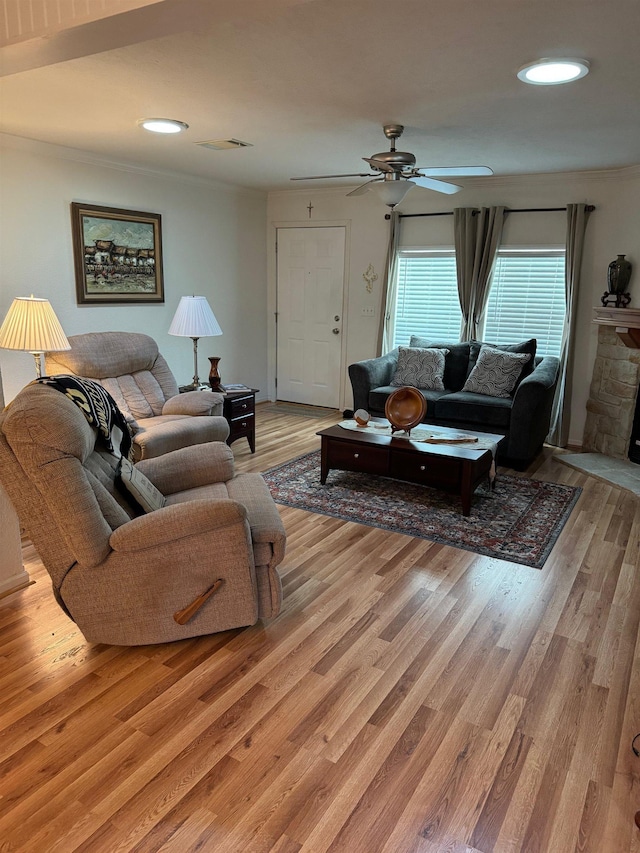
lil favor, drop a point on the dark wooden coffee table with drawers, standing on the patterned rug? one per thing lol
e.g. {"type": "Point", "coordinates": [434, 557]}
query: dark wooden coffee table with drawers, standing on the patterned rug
{"type": "Point", "coordinates": [455, 468]}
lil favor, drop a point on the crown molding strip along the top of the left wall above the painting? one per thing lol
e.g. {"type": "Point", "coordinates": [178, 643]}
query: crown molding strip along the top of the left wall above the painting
{"type": "Point", "coordinates": [60, 152]}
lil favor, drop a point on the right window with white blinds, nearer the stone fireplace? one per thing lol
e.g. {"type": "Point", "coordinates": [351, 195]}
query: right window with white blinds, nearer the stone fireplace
{"type": "Point", "coordinates": [527, 299]}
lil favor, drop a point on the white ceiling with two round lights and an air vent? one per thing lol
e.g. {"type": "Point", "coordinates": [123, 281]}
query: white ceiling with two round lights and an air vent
{"type": "Point", "coordinates": [311, 82]}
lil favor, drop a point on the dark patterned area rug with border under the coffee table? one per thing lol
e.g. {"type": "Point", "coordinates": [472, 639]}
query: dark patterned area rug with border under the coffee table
{"type": "Point", "coordinates": [519, 521]}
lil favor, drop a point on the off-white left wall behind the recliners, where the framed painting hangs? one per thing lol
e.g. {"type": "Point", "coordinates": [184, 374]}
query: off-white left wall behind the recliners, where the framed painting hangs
{"type": "Point", "coordinates": [213, 239]}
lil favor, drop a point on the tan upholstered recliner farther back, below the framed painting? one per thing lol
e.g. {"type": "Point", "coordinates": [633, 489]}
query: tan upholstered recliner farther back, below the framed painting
{"type": "Point", "coordinates": [139, 379]}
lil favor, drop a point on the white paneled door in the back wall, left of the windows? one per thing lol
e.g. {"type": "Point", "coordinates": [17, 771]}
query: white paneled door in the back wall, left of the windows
{"type": "Point", "coordinates": [310, 292]}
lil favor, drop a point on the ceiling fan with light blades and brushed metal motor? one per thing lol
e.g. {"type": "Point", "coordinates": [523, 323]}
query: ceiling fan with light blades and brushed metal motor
{"type": "Point", "coordinates": [397, 173]}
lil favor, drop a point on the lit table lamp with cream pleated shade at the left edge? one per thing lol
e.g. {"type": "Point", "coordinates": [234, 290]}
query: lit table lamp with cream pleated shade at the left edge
{"type": "Point", "coordinates": [31, 325]}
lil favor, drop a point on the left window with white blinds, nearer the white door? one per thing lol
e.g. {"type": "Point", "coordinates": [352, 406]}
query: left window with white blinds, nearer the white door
{"type": "Point", "coordinates": [427, 301]}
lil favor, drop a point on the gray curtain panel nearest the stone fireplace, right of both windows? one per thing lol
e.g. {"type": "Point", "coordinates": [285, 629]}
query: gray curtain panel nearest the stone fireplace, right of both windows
{"type": "Point", "coordinates": [577, 216]}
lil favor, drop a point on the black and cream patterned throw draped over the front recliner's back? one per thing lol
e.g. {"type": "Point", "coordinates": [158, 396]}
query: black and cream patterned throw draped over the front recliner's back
{"type": "Point", "coordinates": [98, 407]}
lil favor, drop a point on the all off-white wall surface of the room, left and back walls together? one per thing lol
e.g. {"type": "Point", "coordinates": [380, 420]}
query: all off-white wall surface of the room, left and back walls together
{"type": "Point", "coordinates": [214, 244]}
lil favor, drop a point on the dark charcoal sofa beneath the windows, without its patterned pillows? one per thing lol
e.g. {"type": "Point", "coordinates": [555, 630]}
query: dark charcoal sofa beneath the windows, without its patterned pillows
{"type": "Point", "coordinates": [523, 418]}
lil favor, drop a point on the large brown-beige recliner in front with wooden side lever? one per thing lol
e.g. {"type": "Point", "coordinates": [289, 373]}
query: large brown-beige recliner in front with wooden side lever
{"type": "Point", "coordinates": [124, 576]}
